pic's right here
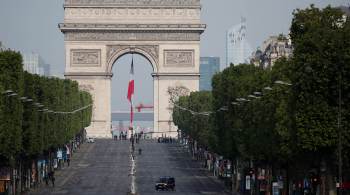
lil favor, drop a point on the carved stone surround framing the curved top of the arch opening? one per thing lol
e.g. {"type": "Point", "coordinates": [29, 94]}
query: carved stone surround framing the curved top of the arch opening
{"type": "Point", "coordinates": [150, 52]}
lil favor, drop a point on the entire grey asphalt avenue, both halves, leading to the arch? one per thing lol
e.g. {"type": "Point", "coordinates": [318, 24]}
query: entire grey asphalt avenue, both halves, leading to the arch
{"type": "Point", "coordinates": [103, 168]}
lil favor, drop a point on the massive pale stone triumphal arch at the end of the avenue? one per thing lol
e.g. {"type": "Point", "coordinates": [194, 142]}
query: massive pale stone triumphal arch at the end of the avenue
{"type": "Point", "coordinates": [98, 32]}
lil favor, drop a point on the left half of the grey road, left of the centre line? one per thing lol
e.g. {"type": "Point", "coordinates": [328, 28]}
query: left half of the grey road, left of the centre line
{"type": "Point", "coordinates": [96, 168]}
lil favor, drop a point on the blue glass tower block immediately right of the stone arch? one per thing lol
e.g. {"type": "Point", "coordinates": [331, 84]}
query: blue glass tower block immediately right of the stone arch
{"type": "Point", "coordinates": [208, 67]}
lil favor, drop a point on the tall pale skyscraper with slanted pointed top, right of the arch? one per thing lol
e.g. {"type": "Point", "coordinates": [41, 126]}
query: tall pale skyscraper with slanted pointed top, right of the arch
{"type": "Point", "coordinates": [238, 50]}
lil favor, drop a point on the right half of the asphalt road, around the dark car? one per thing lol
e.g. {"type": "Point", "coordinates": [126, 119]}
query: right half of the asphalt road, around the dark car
{"type": "Point", "coordinates": [159, 159]}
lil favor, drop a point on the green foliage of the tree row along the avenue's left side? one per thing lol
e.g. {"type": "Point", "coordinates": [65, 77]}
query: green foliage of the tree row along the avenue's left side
{"type": "Point", "coordinates": [30, 124]}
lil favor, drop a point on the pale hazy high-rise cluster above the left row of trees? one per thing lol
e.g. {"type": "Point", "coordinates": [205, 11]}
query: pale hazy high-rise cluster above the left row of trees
{"type": "Point", "coordinates": [34, 64]}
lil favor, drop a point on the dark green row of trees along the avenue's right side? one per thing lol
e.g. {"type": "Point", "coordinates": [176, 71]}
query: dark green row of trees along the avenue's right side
{"type": "Point", "coordinates": [297, 126]}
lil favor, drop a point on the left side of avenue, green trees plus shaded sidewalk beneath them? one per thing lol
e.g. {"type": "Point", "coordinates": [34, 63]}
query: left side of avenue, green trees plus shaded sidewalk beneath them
{"type": "Point", "coordinates": [40, 118]}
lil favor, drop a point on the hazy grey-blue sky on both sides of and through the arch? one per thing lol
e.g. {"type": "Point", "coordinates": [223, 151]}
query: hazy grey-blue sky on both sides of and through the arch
{"type": "Point", "coordinates": [31, 26]}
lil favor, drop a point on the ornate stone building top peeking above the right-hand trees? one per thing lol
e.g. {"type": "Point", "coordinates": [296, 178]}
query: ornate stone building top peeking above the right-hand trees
{"type": "Point", "coordinates": [272, 49]}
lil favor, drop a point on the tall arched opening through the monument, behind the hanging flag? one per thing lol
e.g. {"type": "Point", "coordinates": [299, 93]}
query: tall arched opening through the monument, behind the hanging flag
{"type": "Point", "coordinates": [143, 96]}
